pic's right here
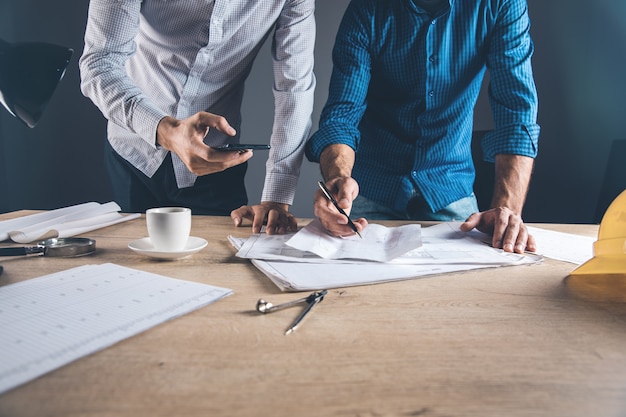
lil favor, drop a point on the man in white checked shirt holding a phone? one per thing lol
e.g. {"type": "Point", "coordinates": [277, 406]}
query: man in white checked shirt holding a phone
{"type": "Point", "coordinates": [169, 77]}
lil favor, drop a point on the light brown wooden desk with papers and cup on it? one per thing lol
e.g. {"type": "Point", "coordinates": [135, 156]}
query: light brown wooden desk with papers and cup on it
{"type": "Point", "coordinates": [515, 341]}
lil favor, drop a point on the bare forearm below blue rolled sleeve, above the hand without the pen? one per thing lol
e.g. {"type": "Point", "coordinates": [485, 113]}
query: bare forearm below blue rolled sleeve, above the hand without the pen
{"type": "Point", "coordinates": [512, 179]}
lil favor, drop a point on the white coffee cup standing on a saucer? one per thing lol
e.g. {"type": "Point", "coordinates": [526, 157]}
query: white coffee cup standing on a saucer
{"type": "Point", "coordinates": [169, 228]}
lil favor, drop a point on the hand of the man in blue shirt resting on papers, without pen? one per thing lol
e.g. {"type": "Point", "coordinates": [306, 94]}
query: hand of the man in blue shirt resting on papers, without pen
{"type": "Point", "coordinates": [507, 230]}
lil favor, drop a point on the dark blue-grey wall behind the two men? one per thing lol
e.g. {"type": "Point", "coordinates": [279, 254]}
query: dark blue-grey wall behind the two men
{"type": "Point", "coordinates": [579, 65]}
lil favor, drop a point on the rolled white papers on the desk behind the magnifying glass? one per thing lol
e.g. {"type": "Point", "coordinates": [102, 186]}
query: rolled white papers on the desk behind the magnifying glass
{"type": "Point", "coordinates": [63, 222]}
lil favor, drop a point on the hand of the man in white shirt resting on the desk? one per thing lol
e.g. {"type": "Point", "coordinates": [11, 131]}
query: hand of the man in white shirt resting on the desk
{"type": "Point", "coordinates": [275, 216]}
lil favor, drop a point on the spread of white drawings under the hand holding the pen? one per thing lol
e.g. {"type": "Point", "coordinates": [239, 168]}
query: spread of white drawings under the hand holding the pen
{"type": "Point", "coordinates": [444, 248]}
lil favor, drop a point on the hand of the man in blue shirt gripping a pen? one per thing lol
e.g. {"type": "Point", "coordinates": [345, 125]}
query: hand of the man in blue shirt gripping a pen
{"type": "Point", "coordinates": [345, 190]}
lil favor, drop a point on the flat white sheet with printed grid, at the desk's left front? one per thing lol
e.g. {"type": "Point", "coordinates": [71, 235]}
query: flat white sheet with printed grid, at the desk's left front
{"type": "Point", "coordinates": [52, 320]}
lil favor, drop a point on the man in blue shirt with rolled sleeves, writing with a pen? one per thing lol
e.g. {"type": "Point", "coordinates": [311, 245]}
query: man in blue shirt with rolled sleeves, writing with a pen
{"type": "Point", "coordinates": [394, 140]}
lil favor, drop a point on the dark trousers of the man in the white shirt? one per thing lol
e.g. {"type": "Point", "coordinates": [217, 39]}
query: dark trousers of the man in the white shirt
{"type": "Point", "coordinates": [215, 194]}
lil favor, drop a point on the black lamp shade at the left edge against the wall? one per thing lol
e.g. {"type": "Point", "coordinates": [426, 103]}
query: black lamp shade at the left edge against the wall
{"type": "Point", "coordinates": [29, 74]}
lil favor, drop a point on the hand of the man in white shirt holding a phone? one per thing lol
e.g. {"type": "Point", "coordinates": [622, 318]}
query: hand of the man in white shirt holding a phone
{"type": "Point", "coordinates": [185, 139]}
